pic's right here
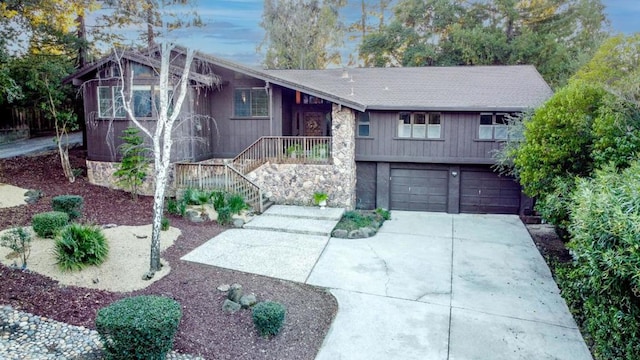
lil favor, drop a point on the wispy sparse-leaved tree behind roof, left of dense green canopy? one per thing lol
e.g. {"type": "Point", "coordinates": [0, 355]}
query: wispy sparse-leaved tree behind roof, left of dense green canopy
{"type": "Point", "coordinates": [302, 34]}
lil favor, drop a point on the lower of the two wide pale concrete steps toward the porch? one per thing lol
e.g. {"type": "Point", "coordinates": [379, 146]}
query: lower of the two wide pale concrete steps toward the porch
{"type": "Point", "coordinates": [288, 224]}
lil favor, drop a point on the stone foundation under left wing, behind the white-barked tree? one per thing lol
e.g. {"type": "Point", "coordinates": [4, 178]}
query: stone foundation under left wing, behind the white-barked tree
{"type": "Point", "coordinates": [101, 173]}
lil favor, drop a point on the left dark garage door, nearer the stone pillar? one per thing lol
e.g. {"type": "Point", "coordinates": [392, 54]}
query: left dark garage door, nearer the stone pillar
{"type": "Point", "coordinates": [420, 190]}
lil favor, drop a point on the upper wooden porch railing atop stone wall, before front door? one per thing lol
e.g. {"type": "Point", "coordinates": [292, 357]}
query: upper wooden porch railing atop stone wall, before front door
{"type": "Point", "coordinates": [284, 150]}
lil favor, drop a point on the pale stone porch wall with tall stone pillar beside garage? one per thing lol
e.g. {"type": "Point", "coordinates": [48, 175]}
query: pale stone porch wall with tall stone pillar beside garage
{"type": "Point", "coordinates": [296, 183]}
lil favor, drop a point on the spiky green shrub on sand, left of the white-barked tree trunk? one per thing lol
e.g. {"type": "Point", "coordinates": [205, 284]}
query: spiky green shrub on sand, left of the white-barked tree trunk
{"type": "Point", "coordinates": [80, 245]}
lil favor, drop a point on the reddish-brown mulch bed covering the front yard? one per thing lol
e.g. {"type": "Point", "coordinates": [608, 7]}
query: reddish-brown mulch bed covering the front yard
{"type": "Point", "coordinates": [205, 329]}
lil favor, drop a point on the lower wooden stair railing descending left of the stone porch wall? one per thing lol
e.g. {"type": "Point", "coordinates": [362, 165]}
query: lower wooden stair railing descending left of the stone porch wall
{"type": "Point", "coordinates": [218, 176]}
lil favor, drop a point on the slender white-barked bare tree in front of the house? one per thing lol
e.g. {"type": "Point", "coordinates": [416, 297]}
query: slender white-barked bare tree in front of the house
{"type": "Point", "coordinates": [172, 91]}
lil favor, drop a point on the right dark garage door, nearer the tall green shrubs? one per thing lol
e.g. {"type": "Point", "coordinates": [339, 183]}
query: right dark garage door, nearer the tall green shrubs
{"type": "Point", "coordinates": [484, 191]}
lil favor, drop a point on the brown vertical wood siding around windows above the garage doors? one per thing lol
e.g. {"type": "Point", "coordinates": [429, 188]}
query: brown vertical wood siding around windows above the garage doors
{"type": "Point", "coordinates": [459, 144]}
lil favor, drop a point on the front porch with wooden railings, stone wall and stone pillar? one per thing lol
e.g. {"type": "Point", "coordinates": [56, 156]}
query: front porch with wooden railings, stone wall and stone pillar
{"type": "Point", "coordinates": [284, 169]}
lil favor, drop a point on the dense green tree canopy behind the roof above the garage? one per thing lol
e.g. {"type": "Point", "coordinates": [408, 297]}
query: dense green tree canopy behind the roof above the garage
{"type": "Point", "coordinates": [557, 36]}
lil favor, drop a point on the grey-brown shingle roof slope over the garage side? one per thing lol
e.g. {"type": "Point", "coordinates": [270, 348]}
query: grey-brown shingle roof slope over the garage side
{"type": "Point", "coordinates": [468, 88]}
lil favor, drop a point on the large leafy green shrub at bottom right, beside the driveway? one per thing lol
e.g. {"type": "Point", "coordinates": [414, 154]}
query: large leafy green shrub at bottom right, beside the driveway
{"type": "Point", "coordinates": [602, 285]}
